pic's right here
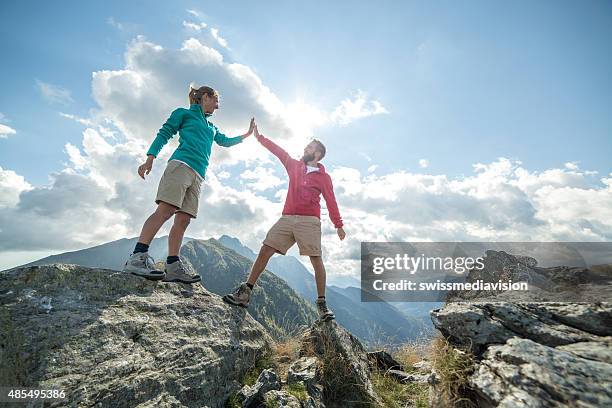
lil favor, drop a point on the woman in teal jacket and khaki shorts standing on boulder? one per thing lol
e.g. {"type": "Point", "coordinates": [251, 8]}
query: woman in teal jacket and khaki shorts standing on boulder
{"type": "Point", "coordinates": [179, 188]}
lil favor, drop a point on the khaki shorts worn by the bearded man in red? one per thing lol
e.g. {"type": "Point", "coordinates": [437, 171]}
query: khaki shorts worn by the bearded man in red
{"type": "Point", "coordinates": [289, 229]}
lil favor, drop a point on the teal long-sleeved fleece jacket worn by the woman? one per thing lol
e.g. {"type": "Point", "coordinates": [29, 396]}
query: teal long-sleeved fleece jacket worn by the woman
{"type": "Point", "coordinates": [196, 135]}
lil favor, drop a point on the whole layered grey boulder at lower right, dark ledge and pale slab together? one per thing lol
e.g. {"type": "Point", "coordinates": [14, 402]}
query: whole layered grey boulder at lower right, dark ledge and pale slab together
{"type": "Point", "coordinates": [534, 354]}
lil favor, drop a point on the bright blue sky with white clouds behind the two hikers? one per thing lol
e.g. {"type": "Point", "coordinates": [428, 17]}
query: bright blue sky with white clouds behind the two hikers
{"type": "Point", "coordinates": [472, 121]}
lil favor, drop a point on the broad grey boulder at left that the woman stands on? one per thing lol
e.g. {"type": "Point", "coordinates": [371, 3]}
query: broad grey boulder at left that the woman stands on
{"type": "Point", "coordinates": [116, 340]}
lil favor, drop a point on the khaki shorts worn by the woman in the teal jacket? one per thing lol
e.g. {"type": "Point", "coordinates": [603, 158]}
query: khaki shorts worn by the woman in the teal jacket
{"type": "Point", "coordinates": [180, 187]}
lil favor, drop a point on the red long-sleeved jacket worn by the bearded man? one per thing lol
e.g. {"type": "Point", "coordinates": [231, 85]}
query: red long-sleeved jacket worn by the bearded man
{"type": "Point", "coordinates": [305, 190]}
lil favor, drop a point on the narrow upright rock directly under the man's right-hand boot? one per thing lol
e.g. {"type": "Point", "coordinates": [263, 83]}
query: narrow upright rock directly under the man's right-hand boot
{"type": "Point", "coordinates": [345, 368]}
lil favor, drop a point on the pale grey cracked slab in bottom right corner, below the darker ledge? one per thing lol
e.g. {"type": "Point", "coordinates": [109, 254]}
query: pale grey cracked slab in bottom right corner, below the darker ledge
{"type": "Point", "coordinates": [537, 375]}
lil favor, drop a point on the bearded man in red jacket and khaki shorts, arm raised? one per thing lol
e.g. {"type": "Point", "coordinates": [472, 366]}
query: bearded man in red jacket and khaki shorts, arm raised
{"type": "Point", "coordinates": [300, 221]}
